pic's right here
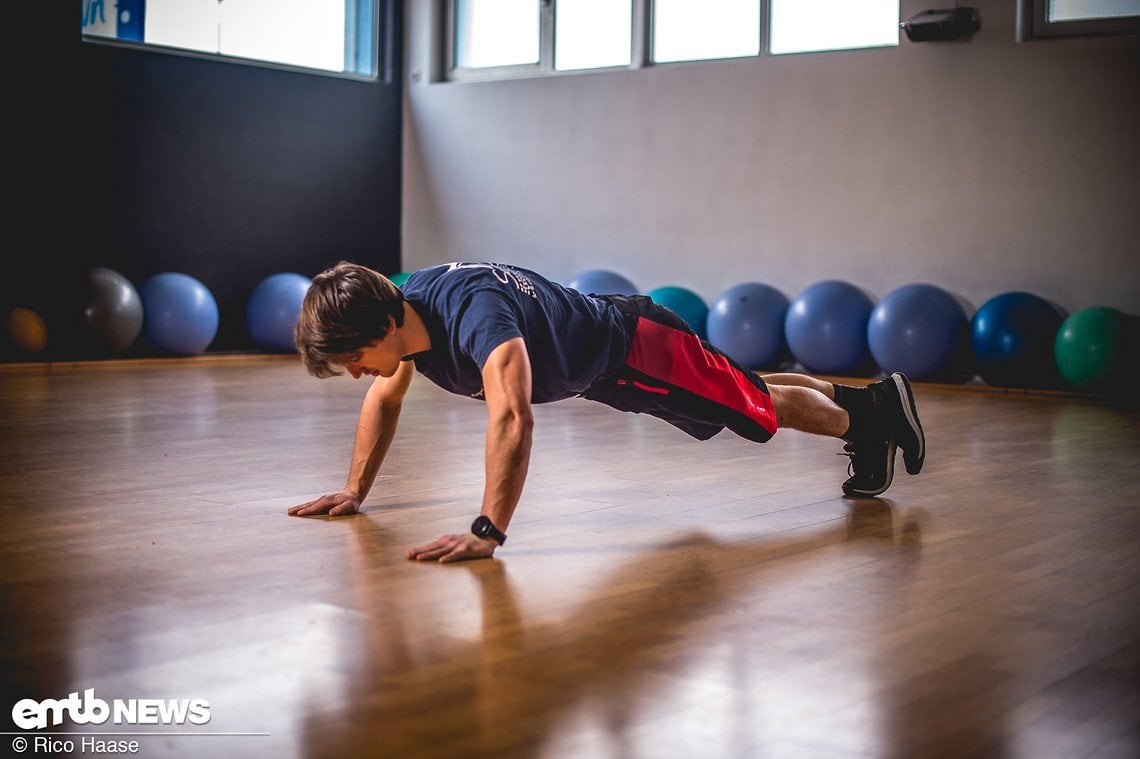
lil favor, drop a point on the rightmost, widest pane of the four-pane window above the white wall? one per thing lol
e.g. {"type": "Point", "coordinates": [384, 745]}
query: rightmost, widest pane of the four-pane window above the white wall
{"type": "Point", "coordinates": [811, 26]}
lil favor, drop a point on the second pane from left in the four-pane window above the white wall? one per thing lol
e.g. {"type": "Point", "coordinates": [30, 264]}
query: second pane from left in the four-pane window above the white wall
{"type": "Point", "coordinates": [592, 34]}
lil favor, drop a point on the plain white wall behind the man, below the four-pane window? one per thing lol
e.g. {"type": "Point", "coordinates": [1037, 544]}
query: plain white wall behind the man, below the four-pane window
{"type": "Point", "coordinates": [981, 167]}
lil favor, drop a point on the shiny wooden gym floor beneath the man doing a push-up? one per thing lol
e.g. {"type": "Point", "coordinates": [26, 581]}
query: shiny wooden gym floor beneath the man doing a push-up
{"type": "Point", "coordinates": [658, 598]}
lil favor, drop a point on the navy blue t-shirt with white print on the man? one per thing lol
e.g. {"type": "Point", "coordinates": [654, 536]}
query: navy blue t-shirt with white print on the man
{"type": "Point", "coordinates": [470, 309]}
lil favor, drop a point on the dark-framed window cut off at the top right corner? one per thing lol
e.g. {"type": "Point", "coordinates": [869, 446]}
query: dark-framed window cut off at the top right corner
{"type": "Point", "coordinates": [1045, 19]}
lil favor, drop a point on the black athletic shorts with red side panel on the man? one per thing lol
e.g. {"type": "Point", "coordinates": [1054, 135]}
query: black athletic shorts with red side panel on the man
{"type": "Point", "coordinates": [672, 374]}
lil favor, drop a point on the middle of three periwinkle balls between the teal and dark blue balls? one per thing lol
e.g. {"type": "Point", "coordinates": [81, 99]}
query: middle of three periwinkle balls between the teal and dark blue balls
{"type": "Point", "coordinates": [826, 327]}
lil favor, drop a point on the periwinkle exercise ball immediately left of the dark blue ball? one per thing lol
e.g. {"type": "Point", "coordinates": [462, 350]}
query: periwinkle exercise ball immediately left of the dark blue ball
{"type": "Point", "coordinates": [916, 330]}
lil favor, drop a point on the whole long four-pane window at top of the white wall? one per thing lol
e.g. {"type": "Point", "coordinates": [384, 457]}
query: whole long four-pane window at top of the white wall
{"type": "Point", "coordinates": [488, 39]}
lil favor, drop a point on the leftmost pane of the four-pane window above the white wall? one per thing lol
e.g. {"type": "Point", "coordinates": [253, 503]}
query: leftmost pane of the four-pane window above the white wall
{"type": "Point", "coordinates": [496, 32]}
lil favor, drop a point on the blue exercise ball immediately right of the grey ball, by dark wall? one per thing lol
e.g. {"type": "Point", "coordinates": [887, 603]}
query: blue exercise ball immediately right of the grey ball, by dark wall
{"type": "Point", "coordinates": [181, 314]}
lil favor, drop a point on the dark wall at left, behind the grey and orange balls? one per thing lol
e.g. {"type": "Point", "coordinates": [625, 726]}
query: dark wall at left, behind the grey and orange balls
{"type": "Point", "coordinates": [146, 162]}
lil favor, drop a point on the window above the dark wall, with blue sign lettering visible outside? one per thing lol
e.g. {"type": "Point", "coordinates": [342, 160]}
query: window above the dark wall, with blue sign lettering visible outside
{"type": "Point", "coordinates": [332, 36]}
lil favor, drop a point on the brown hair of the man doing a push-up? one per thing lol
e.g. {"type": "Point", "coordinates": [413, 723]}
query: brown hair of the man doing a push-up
{"type": "Point", "coordinates": [345, 311]}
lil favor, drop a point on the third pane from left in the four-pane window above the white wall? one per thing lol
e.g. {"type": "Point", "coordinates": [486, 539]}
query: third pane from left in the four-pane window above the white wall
{"type": "Point", "coordinates": [699, 30]}
